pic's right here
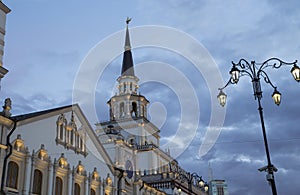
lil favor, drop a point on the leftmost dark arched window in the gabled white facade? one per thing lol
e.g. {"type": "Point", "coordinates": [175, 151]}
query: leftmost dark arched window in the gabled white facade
{"type": "Point", "coordinates": [12, 175]}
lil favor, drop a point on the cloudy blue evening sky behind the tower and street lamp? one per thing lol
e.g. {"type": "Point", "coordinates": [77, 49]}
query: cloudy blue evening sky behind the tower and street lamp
{"type": "Point", "coordinates": [47, 44]}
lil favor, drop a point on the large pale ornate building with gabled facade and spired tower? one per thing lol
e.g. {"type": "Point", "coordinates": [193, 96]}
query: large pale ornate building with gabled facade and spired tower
{"type": "Point", "coordinates": [57, 151]}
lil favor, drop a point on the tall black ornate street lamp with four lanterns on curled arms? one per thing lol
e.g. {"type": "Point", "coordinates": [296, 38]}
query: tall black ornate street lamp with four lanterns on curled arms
{"type": "Point", "coordinates": [255, 71]}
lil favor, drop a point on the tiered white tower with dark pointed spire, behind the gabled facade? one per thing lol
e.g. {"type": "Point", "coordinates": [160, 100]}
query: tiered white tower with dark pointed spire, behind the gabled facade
{"type": "Point", "coordinates": [129, 138]}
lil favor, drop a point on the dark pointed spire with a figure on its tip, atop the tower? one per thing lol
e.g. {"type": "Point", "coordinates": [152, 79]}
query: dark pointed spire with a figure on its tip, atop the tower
{"type": "Point", "coordinates": [127, 65]}
